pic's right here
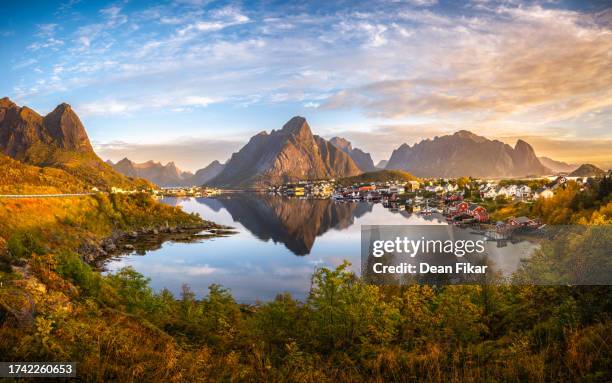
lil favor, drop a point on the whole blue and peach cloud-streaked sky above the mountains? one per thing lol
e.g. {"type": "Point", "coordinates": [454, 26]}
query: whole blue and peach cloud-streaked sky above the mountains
{"type": "Point", "coordinates": [190, 81]}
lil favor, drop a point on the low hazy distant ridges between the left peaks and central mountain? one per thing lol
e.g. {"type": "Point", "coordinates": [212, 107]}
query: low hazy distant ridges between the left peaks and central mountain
{"type": "Point", "coordinates": [167, 175]}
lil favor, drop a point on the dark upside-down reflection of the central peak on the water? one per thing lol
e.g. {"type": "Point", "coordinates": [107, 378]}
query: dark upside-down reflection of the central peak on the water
{"type": "Point", "coordinates": [294, 222]}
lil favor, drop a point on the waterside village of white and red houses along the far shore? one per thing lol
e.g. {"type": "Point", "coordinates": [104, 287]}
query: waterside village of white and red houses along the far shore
{"type": "Point", "coordinates": [463, 201]}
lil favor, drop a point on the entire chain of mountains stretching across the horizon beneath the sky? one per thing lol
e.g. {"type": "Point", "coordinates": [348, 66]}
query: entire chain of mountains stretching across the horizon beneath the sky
{"type": "Point", "coordinates": [59, 140]}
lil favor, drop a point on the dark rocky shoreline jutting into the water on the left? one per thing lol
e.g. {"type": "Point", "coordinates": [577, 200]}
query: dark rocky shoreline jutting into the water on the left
{"type": "Point", "coordinates": [96, 252]}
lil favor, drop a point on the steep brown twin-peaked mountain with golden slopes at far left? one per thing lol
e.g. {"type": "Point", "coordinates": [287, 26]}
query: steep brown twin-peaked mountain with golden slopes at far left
{"type": "Point", "coordinates": [56, 140]}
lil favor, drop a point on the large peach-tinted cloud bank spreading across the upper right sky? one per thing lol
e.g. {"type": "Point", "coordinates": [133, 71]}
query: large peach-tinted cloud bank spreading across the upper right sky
{"type": "Point", "coordinates": [502, 70]}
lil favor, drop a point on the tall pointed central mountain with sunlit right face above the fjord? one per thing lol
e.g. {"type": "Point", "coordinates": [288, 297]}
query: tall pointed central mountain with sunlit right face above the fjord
{"type": "Point", "coordinates": [289, 154]}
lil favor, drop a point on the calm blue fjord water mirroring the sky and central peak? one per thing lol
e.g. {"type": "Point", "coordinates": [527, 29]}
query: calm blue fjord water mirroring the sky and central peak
{"type": "Point", "coordinates": [279, 243]}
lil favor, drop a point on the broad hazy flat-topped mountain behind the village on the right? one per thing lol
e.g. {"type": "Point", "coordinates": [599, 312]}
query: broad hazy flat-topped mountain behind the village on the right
{"type": "Point", "coordinates": [466, 154]}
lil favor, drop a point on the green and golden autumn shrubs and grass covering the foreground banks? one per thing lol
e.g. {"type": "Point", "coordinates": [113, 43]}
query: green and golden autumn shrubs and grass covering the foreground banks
{"type": "Point", "coordinates": [55, 307]}
